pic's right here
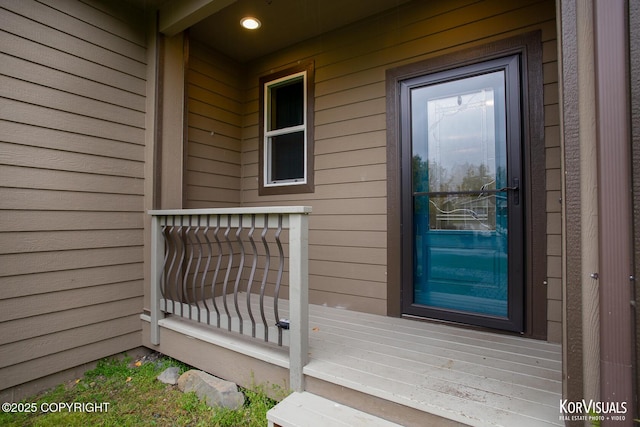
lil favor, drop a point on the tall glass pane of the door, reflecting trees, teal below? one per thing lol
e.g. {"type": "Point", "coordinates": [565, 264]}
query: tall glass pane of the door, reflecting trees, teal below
{"type": "Point", "coordinates": [458, 131]}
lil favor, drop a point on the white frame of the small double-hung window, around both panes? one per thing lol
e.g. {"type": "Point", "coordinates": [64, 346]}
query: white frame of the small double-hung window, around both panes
{"type": "Point", "coordinates": [268, 134]}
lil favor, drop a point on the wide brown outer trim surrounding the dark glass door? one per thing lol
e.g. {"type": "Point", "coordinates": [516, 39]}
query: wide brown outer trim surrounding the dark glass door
{"type": "Point", "coordinates": [529, 47]}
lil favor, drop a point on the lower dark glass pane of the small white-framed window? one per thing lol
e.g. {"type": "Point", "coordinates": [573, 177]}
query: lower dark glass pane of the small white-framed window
{"type": "Point", "coordinates": [287, 156]}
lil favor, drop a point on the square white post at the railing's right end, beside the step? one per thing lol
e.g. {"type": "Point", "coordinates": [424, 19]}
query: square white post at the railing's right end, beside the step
{"type": "Point", "coordinates": [298, 299]}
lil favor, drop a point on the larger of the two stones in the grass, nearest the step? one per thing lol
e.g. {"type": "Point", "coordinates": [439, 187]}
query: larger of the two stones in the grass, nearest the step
{"type": "Point", "coordinates": [214, 391]}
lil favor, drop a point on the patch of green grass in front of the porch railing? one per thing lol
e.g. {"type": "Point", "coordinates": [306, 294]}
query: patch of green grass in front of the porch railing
{"type": "Point", "coordinates": [135, 398]}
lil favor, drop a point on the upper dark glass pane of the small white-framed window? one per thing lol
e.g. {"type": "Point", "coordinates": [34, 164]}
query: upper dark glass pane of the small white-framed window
{"type": "Point", "coordinates": [286, 104]}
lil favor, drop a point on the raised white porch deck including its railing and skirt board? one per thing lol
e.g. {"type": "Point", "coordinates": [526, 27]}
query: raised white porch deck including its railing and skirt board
{"type": "Point", "coordinates": [219, 302]}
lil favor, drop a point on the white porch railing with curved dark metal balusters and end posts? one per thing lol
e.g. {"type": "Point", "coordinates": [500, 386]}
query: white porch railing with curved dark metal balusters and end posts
{"type": "Point", "coordinates": [227, 268]}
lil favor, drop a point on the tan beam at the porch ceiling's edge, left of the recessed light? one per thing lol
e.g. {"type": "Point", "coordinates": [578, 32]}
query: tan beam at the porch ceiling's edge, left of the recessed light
{"type": "Point", "coordinates": [177, 16]}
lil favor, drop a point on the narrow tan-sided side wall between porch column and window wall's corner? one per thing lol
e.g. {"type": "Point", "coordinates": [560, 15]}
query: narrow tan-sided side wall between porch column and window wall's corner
{"type": "Point", "coordinates": [214, 130]}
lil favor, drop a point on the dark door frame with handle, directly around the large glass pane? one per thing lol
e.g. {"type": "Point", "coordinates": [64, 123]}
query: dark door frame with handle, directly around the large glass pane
{"type": "Point", "coordinates": [513, 321]}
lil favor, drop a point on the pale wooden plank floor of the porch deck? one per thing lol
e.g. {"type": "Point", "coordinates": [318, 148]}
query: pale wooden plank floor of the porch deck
{"type": "Point", "coordinates": [472, 377]}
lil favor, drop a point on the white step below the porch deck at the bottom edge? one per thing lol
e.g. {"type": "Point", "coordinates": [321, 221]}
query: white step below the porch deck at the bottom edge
{"type": "Point", "coordinates": [310, 410]}
